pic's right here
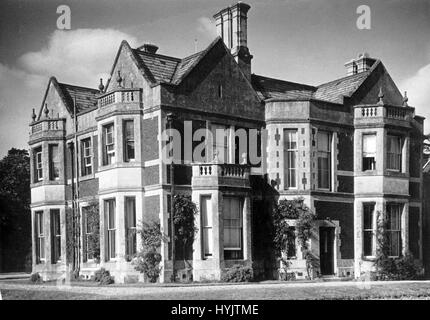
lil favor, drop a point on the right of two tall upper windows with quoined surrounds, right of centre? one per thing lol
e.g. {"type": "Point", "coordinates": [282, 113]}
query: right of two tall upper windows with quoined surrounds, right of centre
{"type": "Point", "coordinates": [324, 163]}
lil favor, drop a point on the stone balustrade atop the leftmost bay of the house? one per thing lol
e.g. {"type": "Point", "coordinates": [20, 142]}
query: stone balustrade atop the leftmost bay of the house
{"type": "Point", "coordinates": [47, 129]}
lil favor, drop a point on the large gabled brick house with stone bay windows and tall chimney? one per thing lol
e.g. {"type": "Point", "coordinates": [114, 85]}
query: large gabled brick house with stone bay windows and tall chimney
{"type": "Point", "coordinates": [349, 148]}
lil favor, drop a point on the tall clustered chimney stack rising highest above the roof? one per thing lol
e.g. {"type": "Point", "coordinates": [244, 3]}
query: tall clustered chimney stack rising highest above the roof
{"type": "Point", "coordinates": [232, 25]}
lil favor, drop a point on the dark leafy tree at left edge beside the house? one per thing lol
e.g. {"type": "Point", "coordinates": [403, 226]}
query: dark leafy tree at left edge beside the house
{"type": "Point", "coordinates": [15, 218]}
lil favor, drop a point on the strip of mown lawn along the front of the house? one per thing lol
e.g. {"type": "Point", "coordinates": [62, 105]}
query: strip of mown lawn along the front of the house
{"type": "Point", "coordinates": [255, 291]}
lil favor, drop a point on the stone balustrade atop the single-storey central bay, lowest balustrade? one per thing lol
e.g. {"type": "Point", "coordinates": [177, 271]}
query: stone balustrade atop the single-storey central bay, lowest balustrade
{"type": "Point", "coordinates": [210, 175]}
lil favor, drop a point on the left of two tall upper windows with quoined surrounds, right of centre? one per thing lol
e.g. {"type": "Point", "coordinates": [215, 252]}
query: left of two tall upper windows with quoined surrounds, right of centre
{"type": "Point", "coordinates": [290, 158]}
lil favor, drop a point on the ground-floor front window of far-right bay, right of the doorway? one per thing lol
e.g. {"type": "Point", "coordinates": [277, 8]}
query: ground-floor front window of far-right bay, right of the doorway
{"type": "Point", "coordinates": [394, 213]}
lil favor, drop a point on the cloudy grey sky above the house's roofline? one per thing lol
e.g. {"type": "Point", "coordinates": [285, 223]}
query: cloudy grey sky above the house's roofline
{"type": "Point", "coordinates": [306, 41]}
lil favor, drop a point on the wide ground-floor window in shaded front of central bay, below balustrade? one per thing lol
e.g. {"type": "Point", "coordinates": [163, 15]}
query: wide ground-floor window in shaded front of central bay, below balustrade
{"type": "Point", "coordinates": [232, 228]}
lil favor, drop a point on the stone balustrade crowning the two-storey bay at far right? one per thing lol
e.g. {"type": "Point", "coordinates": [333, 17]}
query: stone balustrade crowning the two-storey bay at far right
{"type": "Point", "coordinates": [383, 114]}
